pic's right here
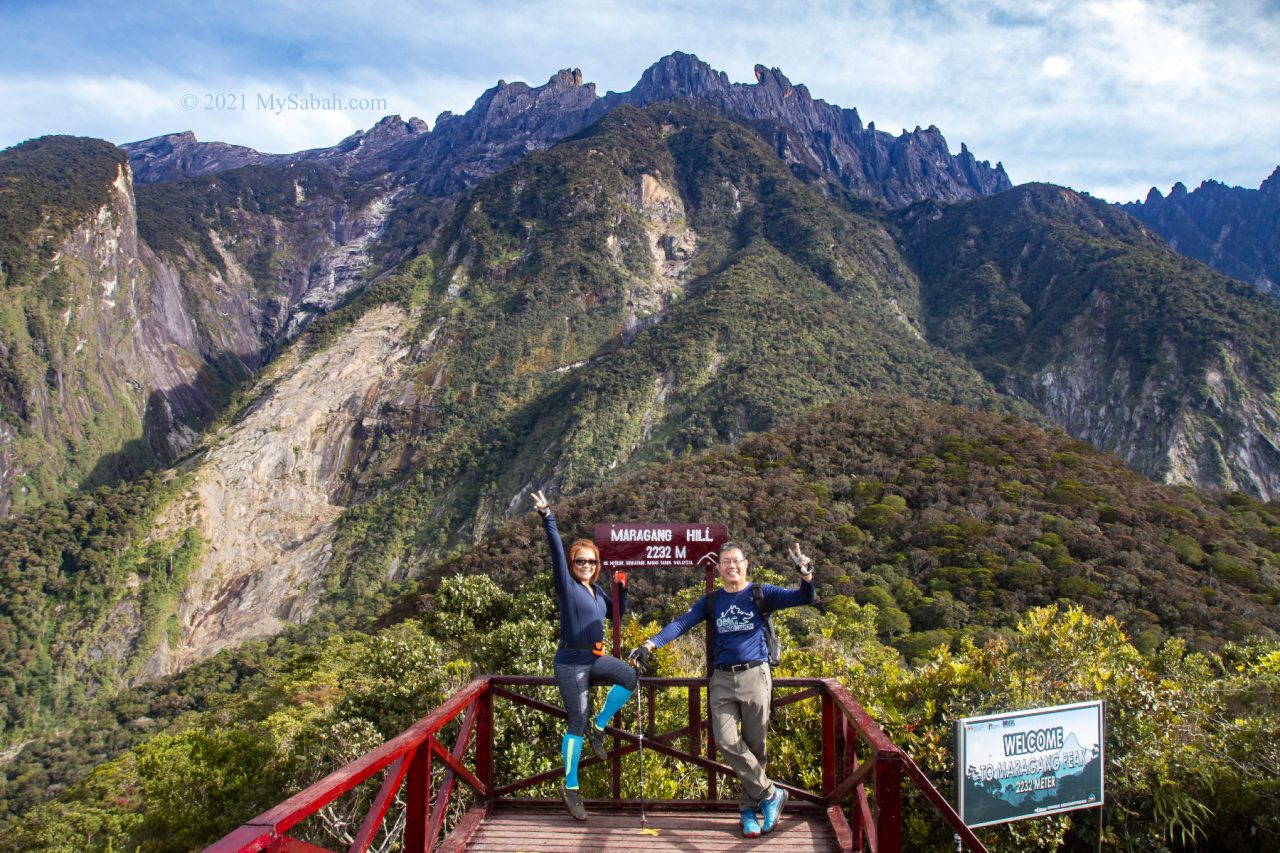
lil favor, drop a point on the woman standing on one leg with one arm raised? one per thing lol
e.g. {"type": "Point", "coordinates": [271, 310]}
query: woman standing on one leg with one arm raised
{"type": "Point", "coordinates": [580, 660]}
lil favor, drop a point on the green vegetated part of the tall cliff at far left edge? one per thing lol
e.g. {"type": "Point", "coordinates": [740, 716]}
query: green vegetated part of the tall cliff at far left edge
{"type": "Point", "coordinates": [65, 423]}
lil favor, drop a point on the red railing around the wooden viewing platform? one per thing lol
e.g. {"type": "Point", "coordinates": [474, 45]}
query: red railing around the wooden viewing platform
{"type": "Point", "coordinates": [874, 820]}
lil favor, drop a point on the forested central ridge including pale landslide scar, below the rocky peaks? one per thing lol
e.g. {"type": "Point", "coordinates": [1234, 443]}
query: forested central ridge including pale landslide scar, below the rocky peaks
{"type": "Point", "coordinates": [657, 285]}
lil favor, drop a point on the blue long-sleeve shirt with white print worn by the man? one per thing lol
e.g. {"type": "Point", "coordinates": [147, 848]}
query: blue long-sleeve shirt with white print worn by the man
{"type": "Point", "coordinates": [739, 623]}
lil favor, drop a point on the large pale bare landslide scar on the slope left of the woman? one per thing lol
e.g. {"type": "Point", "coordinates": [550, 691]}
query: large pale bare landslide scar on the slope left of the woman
{"type": "Point", "coordinates": [266, 494]}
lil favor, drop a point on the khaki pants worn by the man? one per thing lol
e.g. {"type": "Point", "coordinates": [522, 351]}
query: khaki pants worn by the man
{"type": "Point", "coordinates": [743, 700]}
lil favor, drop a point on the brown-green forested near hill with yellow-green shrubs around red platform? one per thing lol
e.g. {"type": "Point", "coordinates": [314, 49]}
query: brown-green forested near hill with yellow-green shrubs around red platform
{"type": "Point", "coordinates": [966, 564]}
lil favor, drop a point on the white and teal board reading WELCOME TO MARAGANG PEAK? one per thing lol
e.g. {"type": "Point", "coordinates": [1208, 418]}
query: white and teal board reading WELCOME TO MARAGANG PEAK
{"type": "Point", "coordinates": [1030, 764]}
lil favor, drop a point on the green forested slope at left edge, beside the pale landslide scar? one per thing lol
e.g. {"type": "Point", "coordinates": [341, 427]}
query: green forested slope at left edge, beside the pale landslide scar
{"type": "Point", "coordinates": [75, 574]}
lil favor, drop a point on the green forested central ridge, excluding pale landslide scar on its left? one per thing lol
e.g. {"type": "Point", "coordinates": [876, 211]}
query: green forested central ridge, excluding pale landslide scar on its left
{"type": "Point", "coordinates": [561, 344]}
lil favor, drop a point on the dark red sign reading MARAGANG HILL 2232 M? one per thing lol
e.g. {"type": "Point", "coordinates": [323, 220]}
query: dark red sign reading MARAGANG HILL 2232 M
{"type": "Point", "coordinates": [627, 548]}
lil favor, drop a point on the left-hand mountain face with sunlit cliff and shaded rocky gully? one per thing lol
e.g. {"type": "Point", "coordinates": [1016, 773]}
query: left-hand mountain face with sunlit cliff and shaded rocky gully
{"type": "Point", "coordinates": [134, 316]}
